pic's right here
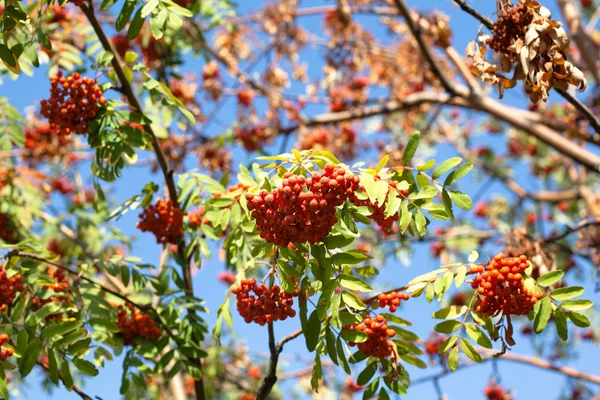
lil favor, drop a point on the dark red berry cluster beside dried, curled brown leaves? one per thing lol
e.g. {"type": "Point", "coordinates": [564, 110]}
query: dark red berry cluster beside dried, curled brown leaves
{"type": "Point", "coordinates": [509, 27]}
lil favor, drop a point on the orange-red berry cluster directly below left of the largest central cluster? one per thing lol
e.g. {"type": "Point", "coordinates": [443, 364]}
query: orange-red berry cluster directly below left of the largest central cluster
{"type": "Point", "coordinates": [266, 305]}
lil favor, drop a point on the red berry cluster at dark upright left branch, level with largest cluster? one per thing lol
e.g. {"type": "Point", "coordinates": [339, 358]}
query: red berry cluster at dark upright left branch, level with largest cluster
{"type": "Point", "coordinates": [164, 219]}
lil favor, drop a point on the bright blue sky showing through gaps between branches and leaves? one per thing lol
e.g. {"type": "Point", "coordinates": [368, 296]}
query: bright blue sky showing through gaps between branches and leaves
{"type": "Point", "coordinates": [528, 382]}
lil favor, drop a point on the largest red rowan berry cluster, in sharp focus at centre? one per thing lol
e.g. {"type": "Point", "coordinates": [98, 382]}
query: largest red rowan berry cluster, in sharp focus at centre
{"type": "Point", "coordinates": [291, 214]}
